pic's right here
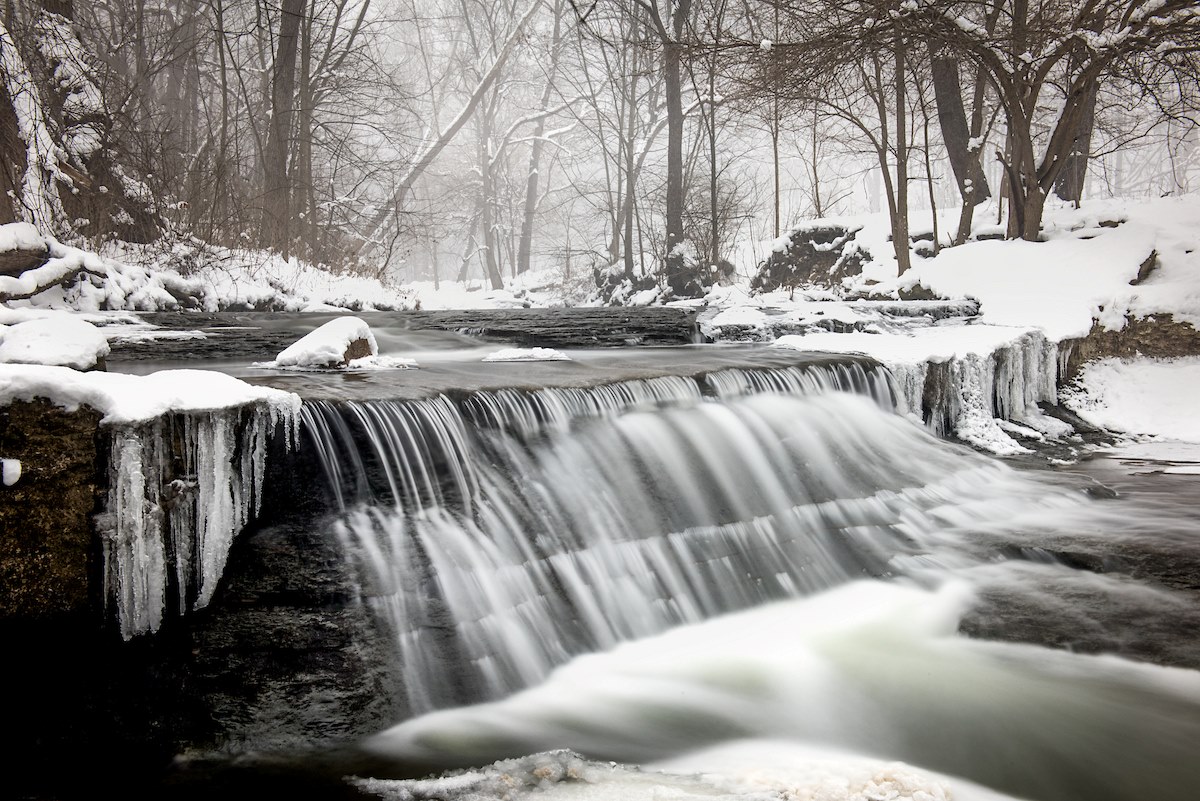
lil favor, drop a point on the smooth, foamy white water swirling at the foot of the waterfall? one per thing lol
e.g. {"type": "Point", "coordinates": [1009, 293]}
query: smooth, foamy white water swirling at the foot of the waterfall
{"type": "Point", "coordinates": [873, 671]}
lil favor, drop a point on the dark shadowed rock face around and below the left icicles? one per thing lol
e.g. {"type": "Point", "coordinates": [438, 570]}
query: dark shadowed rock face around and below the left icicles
{"type": "Point", "coordinates": [286, 654]}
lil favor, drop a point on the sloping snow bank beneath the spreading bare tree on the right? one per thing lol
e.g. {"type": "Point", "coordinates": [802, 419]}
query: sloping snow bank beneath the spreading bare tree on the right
{"type": "Point", "coordinates": [1082, 273]}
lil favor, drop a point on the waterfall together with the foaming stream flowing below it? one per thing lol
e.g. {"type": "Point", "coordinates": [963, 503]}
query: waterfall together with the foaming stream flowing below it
{"type": "Point", "coordinates": [757, 582]}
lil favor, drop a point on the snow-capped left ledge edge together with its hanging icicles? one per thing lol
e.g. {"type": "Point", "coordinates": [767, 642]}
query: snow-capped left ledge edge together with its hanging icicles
{"type": "Point", "coordinates": [187, 467]}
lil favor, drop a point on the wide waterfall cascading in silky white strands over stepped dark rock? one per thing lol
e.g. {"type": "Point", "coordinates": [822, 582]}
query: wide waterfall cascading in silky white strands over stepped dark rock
{"type": "Point", "coordinates": [500, 534]}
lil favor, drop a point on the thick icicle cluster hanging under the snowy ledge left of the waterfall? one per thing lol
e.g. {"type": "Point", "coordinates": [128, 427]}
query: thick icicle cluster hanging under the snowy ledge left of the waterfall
{"type": "Point", "coordinates": [182, 487]}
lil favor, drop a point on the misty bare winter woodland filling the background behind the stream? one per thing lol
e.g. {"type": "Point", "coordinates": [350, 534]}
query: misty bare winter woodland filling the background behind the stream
{"type": "Point", "coordinates": [633, 141]}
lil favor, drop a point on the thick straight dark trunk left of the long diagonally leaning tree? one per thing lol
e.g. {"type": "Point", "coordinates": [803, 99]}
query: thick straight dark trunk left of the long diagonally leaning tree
{"type": "Point", "coordinates": [277, 182]}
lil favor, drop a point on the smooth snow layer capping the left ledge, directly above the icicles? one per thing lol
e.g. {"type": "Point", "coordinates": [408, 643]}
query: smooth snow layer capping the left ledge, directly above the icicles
{"type": "Point", "coordinates": [127, 399]}
